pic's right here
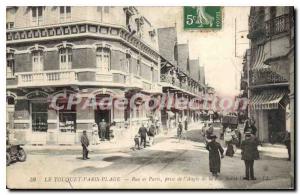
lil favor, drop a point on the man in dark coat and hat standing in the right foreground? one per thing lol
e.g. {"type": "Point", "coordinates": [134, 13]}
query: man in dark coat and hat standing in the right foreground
{"type": "Point", "coordinates": [249, 154]}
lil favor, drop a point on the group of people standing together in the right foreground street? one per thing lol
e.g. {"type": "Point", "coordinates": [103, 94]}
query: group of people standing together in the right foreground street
{"type": "Point", "coordinates": [249, 150]}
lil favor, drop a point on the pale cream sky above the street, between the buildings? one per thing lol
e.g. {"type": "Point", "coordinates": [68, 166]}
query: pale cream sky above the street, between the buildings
{"type": "Point", "coordinates": [215, 49]}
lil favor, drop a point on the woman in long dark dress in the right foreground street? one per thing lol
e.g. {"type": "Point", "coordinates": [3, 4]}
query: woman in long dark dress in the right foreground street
{"type": "Point", "coordinates": [215, 151]}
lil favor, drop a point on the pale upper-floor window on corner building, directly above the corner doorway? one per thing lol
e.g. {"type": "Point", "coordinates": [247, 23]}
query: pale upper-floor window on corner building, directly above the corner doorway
{"type": "Point", "coordinates": [103, 59]}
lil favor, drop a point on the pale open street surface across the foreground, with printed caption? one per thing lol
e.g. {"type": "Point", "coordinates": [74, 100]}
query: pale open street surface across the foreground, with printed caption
{"type": "Point", "coordinates": [167, 164]}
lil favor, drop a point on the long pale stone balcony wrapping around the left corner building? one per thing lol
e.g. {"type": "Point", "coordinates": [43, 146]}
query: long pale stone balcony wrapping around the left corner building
{"type": "Point", "coordinates": [78, 77]}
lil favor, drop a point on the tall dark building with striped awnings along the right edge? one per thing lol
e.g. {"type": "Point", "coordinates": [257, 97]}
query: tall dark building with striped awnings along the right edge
{"type": "Point", "coordinates": [270, 62]}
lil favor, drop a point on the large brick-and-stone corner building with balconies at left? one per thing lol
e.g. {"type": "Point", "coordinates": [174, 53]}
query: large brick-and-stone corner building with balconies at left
{"type": "Point", "coordinates": [106, 52]}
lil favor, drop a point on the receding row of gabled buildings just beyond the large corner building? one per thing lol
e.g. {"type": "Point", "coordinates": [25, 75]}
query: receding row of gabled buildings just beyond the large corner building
{"type": "Point", "coordinates": [181, 77]}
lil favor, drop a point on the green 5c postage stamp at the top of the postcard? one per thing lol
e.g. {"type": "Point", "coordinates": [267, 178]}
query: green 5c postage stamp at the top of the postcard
{"type": "Point", "coordinates": [203, 17]}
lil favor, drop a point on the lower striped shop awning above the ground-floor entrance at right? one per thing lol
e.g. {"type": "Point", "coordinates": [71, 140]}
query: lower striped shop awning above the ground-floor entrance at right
{"type": "Point", "coordinates": [268, 100]}
